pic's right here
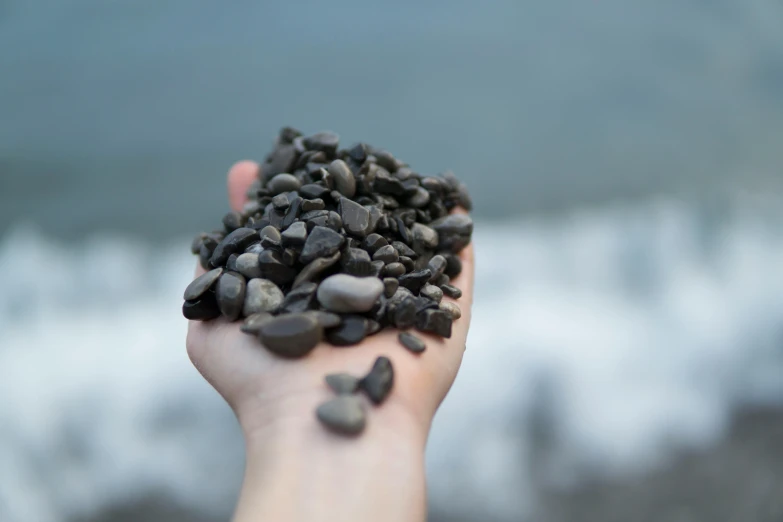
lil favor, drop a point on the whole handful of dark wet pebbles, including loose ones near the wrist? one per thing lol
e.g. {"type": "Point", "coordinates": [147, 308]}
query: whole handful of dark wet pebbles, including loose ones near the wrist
{"type": "Point", "coordinates": [335, 245]}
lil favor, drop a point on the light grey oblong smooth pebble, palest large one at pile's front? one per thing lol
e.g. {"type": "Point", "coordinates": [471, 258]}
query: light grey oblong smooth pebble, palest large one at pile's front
{"type": "Point", "coordinates": [344, 293]}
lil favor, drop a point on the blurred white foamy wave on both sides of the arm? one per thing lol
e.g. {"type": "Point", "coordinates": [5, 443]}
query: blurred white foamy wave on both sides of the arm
{"type": "Point", "coordinates": [601, 341]}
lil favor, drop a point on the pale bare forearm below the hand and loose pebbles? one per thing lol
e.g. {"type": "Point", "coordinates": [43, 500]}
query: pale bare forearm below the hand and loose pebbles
{"type": "Point", "coordinates": [297, 471]}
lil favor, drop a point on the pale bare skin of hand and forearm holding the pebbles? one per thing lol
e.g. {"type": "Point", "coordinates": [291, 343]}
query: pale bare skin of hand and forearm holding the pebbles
{"type": "Point", "coordinates": [296, 470]}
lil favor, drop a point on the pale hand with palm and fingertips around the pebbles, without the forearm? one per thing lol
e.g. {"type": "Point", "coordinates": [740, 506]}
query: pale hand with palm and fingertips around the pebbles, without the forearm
{"type": "Point", "coordinates": [260, 384]}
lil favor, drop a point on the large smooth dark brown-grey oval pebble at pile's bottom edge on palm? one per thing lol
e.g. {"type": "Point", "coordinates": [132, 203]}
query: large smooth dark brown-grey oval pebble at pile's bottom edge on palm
{"type": "Point", "coordinates": [291, 335]}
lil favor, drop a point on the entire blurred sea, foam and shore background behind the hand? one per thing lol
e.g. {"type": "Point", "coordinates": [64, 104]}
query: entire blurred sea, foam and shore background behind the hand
{"type": "Point", "coordinates": [626, 357]}
